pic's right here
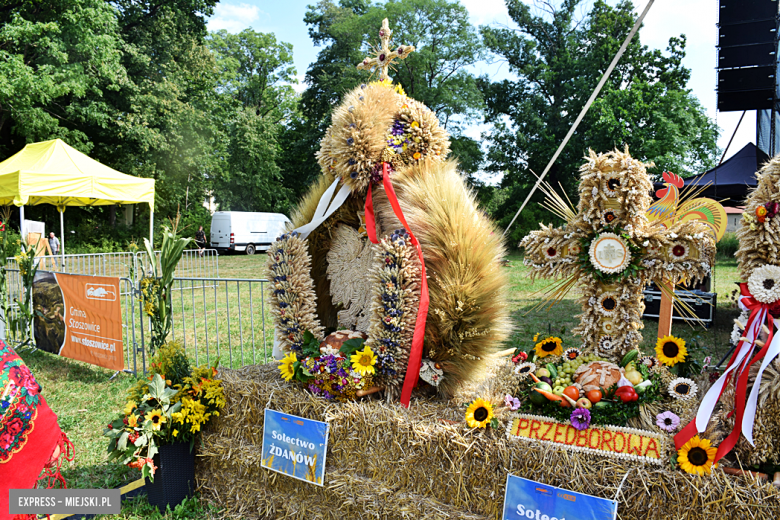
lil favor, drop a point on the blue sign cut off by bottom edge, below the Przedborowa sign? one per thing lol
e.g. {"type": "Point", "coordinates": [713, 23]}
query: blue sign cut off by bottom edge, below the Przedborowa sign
{"type": "Point", "coordinates": [526, 499]}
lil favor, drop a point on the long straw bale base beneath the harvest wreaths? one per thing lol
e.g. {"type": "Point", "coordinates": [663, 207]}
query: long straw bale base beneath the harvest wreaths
{"type": "Point", "coordinates": [388, 462]}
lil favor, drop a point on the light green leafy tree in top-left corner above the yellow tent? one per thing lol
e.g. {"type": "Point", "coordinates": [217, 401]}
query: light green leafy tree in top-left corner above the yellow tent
{"type": "Point", "coordinates": [56, 60]}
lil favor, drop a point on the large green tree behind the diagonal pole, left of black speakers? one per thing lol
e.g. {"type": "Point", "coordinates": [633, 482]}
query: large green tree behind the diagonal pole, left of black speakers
{"type": "Point", "coordinates": [558, 60]}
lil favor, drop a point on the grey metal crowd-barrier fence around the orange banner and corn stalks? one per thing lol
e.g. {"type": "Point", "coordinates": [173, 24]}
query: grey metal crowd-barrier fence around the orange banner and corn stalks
{"type": "Point", "coordinates": [214, 318]}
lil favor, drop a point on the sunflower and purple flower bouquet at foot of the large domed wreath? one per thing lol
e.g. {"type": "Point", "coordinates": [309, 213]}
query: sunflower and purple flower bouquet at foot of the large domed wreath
{"type": "Point", "coordinates": [336, 374]}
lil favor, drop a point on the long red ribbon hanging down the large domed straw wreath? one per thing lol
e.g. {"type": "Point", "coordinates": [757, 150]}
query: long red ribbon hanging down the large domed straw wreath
{"type": "Point", "coordinates": [415, 356]}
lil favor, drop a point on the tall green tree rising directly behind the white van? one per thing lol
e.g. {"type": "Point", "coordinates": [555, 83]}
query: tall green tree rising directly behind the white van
{"type": "Point", "coordinates": [255, 77]}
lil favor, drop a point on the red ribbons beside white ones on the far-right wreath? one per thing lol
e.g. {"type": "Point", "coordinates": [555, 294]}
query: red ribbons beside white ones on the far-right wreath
{"type": "Point", "coordinates": [742, 373]}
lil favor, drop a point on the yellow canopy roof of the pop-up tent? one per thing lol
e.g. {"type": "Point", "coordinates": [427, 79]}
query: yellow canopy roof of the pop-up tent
{"type": "Point", "coordinates": [52, 172]}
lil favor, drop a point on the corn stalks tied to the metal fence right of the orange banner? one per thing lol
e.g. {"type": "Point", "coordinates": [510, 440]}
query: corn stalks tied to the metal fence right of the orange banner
{"type": "Point", "coordinates": [156, 289]}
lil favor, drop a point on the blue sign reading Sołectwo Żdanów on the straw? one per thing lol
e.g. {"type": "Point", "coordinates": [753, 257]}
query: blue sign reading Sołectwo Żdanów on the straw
{"type": "Point", "coordinates": [295, 446]}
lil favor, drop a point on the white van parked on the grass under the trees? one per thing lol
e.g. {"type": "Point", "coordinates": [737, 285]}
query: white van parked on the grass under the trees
{"type": "Point", "coordinates": [245, 231]}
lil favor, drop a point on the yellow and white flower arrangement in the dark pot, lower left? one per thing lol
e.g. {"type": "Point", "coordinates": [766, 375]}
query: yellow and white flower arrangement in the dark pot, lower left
{"type": "Point", "coordinates": [171, 406]}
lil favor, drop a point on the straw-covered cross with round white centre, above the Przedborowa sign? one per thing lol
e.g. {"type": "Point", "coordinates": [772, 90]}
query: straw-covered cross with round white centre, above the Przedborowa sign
{"type": "Point", "coordinates": [611, 249]}
